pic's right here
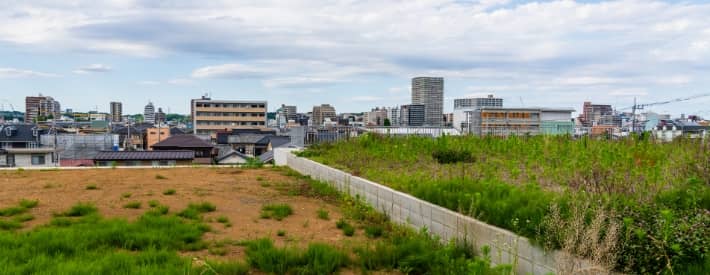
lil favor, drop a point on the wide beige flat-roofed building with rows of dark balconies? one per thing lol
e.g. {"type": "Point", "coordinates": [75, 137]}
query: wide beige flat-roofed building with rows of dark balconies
{"type": "Point", "coordinates": [210, 116]}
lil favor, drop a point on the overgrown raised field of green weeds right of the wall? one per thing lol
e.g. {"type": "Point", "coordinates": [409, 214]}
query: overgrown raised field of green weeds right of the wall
{"type": "Point", "coordinates": [515, 182]}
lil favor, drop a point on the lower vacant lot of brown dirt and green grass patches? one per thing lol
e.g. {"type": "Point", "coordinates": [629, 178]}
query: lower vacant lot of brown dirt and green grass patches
{"type": "Point", "coordinates": [205, 221]}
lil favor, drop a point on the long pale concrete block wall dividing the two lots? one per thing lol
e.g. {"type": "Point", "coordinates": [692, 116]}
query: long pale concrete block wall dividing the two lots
{"type": "Point", "coordinates": [506, 247]}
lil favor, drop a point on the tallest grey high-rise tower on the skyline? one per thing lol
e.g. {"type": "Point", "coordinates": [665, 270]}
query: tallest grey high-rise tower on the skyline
{"type": "Point", "coordinates": [429, 91]}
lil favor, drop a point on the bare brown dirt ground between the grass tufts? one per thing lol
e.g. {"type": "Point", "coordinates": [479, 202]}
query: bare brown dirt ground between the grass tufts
{"type": "Point", "coordinates": [238, 194]}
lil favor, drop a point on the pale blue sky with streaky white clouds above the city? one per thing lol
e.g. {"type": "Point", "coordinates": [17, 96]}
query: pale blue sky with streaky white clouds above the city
{"type": "Point", "coordinates": [354, 54]}
